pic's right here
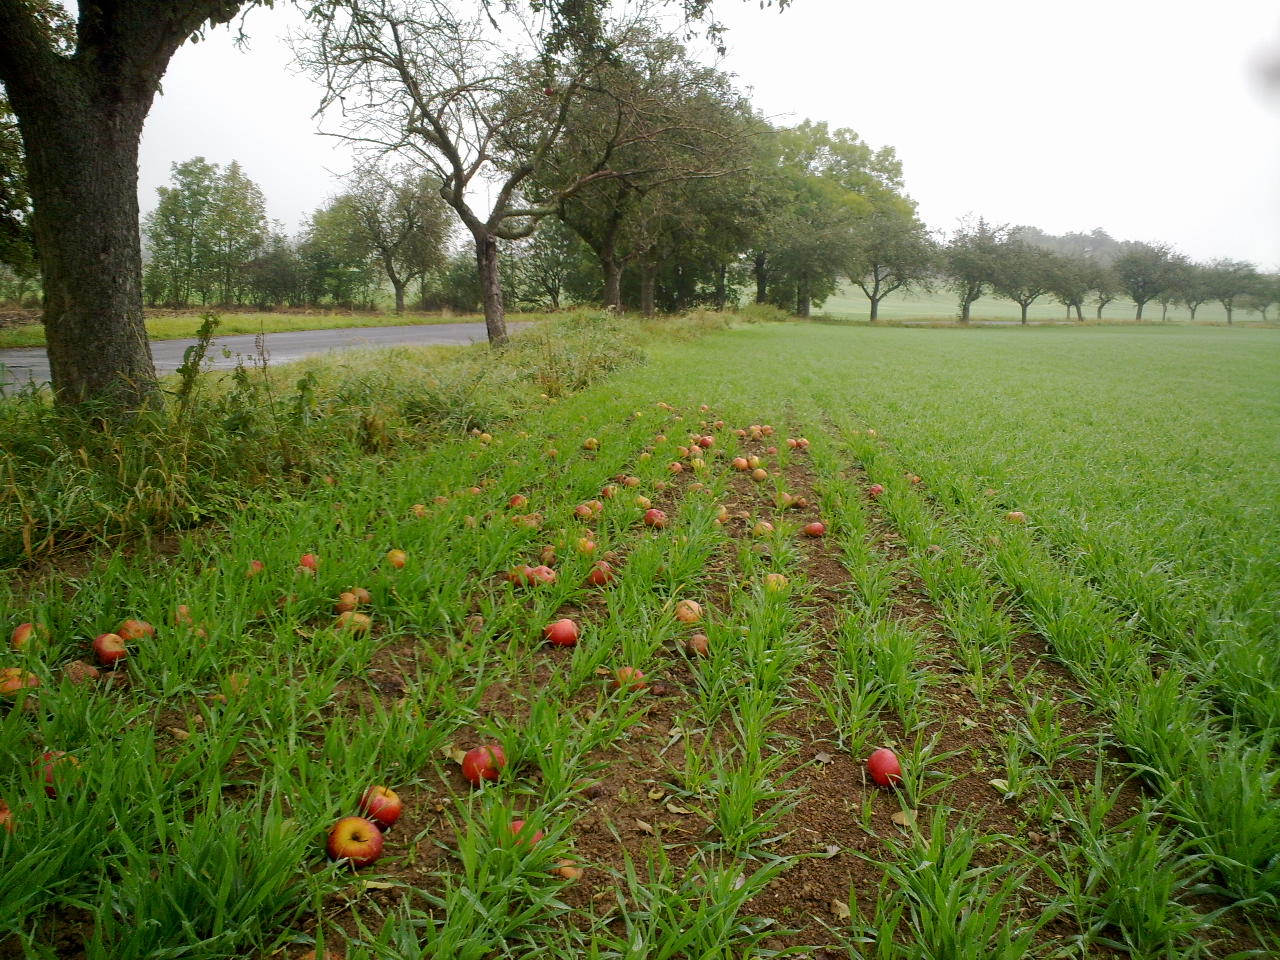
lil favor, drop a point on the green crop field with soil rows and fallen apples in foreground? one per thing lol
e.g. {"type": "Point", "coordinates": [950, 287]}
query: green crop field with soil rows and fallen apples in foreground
{"type": "Point", "coordinates": [1046, 583]}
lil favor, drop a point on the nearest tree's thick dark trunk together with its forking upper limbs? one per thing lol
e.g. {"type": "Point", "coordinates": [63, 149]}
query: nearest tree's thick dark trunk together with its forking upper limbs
{"type": "Point", "coordinates": [81, 120]}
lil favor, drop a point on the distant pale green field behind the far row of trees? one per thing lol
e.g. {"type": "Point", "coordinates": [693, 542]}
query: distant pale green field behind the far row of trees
{"type": "Point", "coordinates": [849, 304]}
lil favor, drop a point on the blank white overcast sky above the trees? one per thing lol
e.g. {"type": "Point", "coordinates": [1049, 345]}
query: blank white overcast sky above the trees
{"type": "Point", "coordinates": [1148, 120]}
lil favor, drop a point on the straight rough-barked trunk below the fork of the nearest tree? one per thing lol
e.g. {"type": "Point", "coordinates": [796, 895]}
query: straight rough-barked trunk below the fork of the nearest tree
{"type": "Point", "coordinates": [83, 170]}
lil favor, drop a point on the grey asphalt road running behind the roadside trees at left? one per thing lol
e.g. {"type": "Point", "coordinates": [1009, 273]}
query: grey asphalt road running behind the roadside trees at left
{"type": "Point", "coordinates": [22, 365]}
